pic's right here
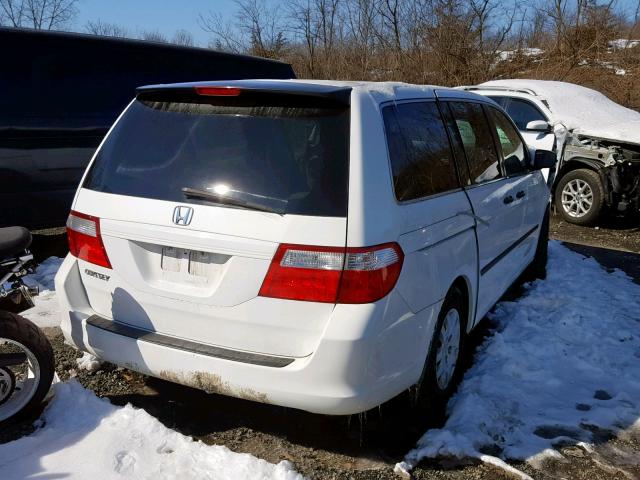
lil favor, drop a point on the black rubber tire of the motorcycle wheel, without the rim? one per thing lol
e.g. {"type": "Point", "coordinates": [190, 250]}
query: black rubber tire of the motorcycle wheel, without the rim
{"type": "Point", "coordinates": [17, 328]}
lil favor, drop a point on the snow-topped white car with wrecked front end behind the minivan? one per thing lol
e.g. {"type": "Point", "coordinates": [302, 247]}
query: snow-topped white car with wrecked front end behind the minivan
{"type": "Point", "coordinates": [597, 142]}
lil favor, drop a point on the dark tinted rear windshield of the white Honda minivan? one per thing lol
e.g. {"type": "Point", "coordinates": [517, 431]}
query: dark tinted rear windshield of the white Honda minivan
{"type": "Point", "coordinates": [278, 158]}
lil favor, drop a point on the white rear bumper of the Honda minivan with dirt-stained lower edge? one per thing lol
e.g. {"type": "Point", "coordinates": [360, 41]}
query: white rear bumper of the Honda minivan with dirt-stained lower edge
{"type": "Point", "coordinates": [363, 359]}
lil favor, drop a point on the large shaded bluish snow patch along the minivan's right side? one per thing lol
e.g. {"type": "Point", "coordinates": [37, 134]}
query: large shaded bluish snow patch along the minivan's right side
{"type": "Point", "coordinates": [564, 361]}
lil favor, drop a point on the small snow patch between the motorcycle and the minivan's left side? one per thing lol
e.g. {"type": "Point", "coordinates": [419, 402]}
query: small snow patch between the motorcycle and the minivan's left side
{"type": "Point", "coordinates": [46, 313]}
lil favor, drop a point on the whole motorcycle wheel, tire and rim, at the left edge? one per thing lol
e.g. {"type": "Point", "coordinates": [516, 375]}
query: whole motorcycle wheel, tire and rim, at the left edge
{"type": "Point", "coordinates": [26, 366]}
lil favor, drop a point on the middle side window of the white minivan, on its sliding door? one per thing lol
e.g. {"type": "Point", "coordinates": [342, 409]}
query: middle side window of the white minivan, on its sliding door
{"type": "Point", "coordinates": [477, 141]}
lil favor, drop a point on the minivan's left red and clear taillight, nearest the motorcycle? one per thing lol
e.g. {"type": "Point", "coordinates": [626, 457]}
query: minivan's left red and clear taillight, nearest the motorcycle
{"type": "Point", "coordinates": [85, 241]}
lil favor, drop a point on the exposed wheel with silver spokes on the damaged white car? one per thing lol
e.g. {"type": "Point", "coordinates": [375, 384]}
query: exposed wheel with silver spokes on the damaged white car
{"type": "Point", "coordinates": [579, 197]}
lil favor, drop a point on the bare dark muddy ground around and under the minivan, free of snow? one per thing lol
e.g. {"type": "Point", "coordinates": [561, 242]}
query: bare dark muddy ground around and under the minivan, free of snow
{"type": "Point", "coordinates": [357, 447]}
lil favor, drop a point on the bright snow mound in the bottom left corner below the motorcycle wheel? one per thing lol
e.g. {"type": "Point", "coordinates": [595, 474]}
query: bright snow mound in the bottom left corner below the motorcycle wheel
{"type": "Point", "coordinates": [86, 437]}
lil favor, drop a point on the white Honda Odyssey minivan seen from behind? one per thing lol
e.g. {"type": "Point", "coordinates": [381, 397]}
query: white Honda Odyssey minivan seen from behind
{"type": "Point", "coordinates": [312, 244]}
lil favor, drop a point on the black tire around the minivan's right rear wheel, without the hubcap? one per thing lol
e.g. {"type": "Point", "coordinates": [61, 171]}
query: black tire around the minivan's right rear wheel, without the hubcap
{"type": "Point", "coordinates": [430, 396]}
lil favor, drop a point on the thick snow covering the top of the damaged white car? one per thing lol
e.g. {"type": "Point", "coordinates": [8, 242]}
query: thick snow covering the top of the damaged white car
{"type": "Point", "coordinates": [586, 111]}
